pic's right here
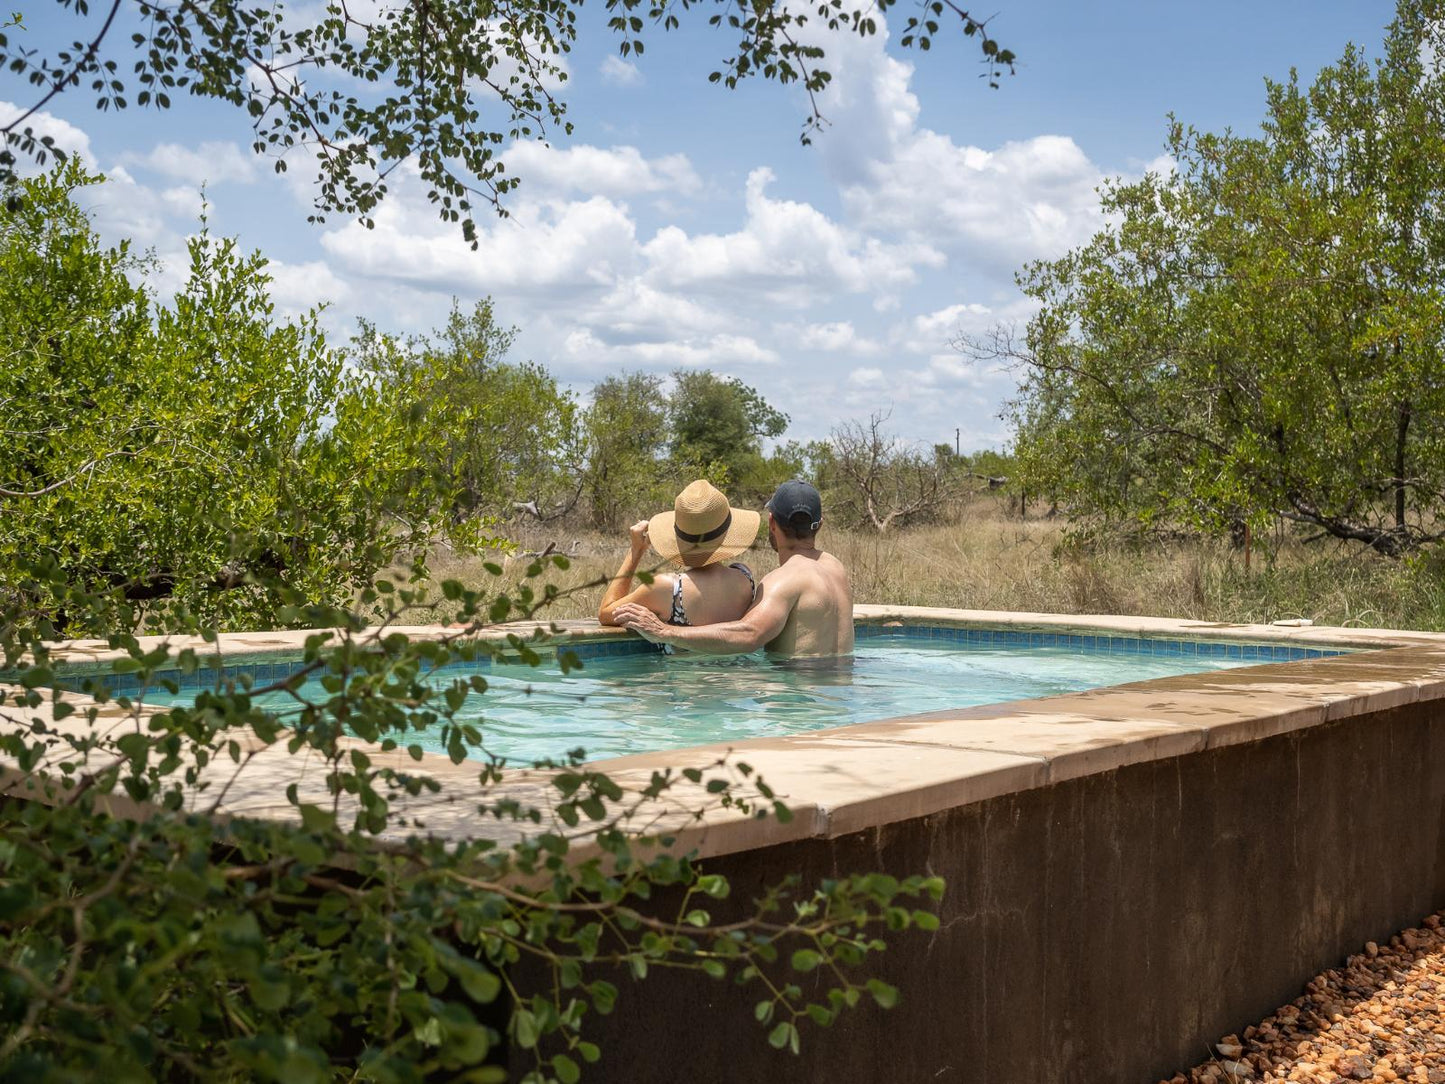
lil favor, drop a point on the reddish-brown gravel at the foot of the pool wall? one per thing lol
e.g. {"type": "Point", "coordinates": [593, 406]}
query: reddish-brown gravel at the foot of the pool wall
{"type": "Point", "coordinates": [1379, 1018]}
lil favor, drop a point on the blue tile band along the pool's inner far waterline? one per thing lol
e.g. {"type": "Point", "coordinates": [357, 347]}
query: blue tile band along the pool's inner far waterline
{"type": "Point", "coordinates": [967, 638]}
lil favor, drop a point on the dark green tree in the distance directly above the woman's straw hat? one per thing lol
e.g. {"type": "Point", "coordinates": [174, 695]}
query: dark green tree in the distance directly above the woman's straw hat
{"type": "Point", "coordinates": [720, 423]}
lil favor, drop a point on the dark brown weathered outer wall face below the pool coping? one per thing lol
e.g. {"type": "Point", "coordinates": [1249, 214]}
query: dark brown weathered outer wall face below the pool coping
{"type": "Point", "coordinates": [1103, 929]}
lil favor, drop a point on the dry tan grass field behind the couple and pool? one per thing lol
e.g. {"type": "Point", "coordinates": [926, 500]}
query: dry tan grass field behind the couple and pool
{"type": "Point", "coordinates": [991, 560]}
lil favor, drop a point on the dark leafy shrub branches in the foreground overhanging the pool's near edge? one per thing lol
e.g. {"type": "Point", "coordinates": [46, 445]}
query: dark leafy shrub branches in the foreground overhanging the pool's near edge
{"type": "Point", "coordinates": [150, 940]}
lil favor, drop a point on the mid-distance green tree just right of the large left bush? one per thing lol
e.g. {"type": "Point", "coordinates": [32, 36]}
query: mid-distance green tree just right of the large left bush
{"type": "Point", "coordinates": [505, 433]}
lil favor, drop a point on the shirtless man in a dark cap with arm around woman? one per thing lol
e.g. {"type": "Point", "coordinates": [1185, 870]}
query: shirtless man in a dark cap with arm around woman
{"type": "Point", "coordinates": [804, 608]}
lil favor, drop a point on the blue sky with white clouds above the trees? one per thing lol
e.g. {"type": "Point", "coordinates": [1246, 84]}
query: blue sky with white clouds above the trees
{"type": "Point", "coordinates": [684, 226]}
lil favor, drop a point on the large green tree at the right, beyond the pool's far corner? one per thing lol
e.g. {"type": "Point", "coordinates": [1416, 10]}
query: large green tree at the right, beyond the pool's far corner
{"type": "Point", "coordinates": [1261, 333]}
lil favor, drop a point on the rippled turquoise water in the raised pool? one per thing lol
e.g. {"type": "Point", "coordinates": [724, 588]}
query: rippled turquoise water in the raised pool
{"type": "Point", "coordinates": [641, 703]}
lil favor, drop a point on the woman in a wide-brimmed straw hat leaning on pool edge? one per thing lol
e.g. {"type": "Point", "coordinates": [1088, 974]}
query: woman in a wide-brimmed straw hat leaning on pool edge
{"type": "Point", "coordinates": [700, 537]}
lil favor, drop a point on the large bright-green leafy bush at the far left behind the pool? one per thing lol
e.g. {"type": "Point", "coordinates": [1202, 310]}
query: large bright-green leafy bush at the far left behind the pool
{"type": "Point", "coordinates": [174, 455]}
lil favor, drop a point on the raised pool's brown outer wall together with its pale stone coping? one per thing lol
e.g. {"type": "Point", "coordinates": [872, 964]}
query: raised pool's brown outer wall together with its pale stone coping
{"type": "Point", "coordinates": [1132, 872]}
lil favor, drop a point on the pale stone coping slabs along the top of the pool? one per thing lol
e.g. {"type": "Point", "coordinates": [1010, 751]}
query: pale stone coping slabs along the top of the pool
{"type": "Point", "coordinates": [847, 780]}
